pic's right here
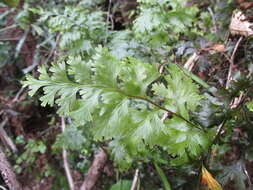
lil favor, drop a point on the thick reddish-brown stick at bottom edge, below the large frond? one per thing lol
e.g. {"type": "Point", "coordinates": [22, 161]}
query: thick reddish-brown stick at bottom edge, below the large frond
{"type": "Point", "coordinates": [95, 170]}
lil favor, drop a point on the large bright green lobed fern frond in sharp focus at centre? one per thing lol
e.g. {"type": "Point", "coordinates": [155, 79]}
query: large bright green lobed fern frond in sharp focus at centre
{"type": "Point", "coordinates": [114, 96]}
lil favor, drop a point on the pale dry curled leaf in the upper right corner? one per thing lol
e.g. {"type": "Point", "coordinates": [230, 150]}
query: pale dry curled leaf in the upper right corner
{"type": "Point", "coordinates": [239, 25]}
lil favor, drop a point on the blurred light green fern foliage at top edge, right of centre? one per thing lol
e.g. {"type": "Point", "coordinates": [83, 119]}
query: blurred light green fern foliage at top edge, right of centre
{"type": "Point", "coordinates": [156, 20]}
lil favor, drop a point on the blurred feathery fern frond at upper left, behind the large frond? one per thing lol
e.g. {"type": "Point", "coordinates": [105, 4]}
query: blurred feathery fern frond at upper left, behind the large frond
{"type": "Point", "coordinates": [80, 28]}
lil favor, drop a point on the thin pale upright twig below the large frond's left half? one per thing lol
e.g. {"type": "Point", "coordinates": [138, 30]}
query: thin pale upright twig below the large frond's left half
{"type": "Point", "coordinates": [65, 160]}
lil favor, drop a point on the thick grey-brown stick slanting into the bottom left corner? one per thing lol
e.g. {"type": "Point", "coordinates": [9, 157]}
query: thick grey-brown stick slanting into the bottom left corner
{"type": "Point", "coordinates": [7, 173]}
